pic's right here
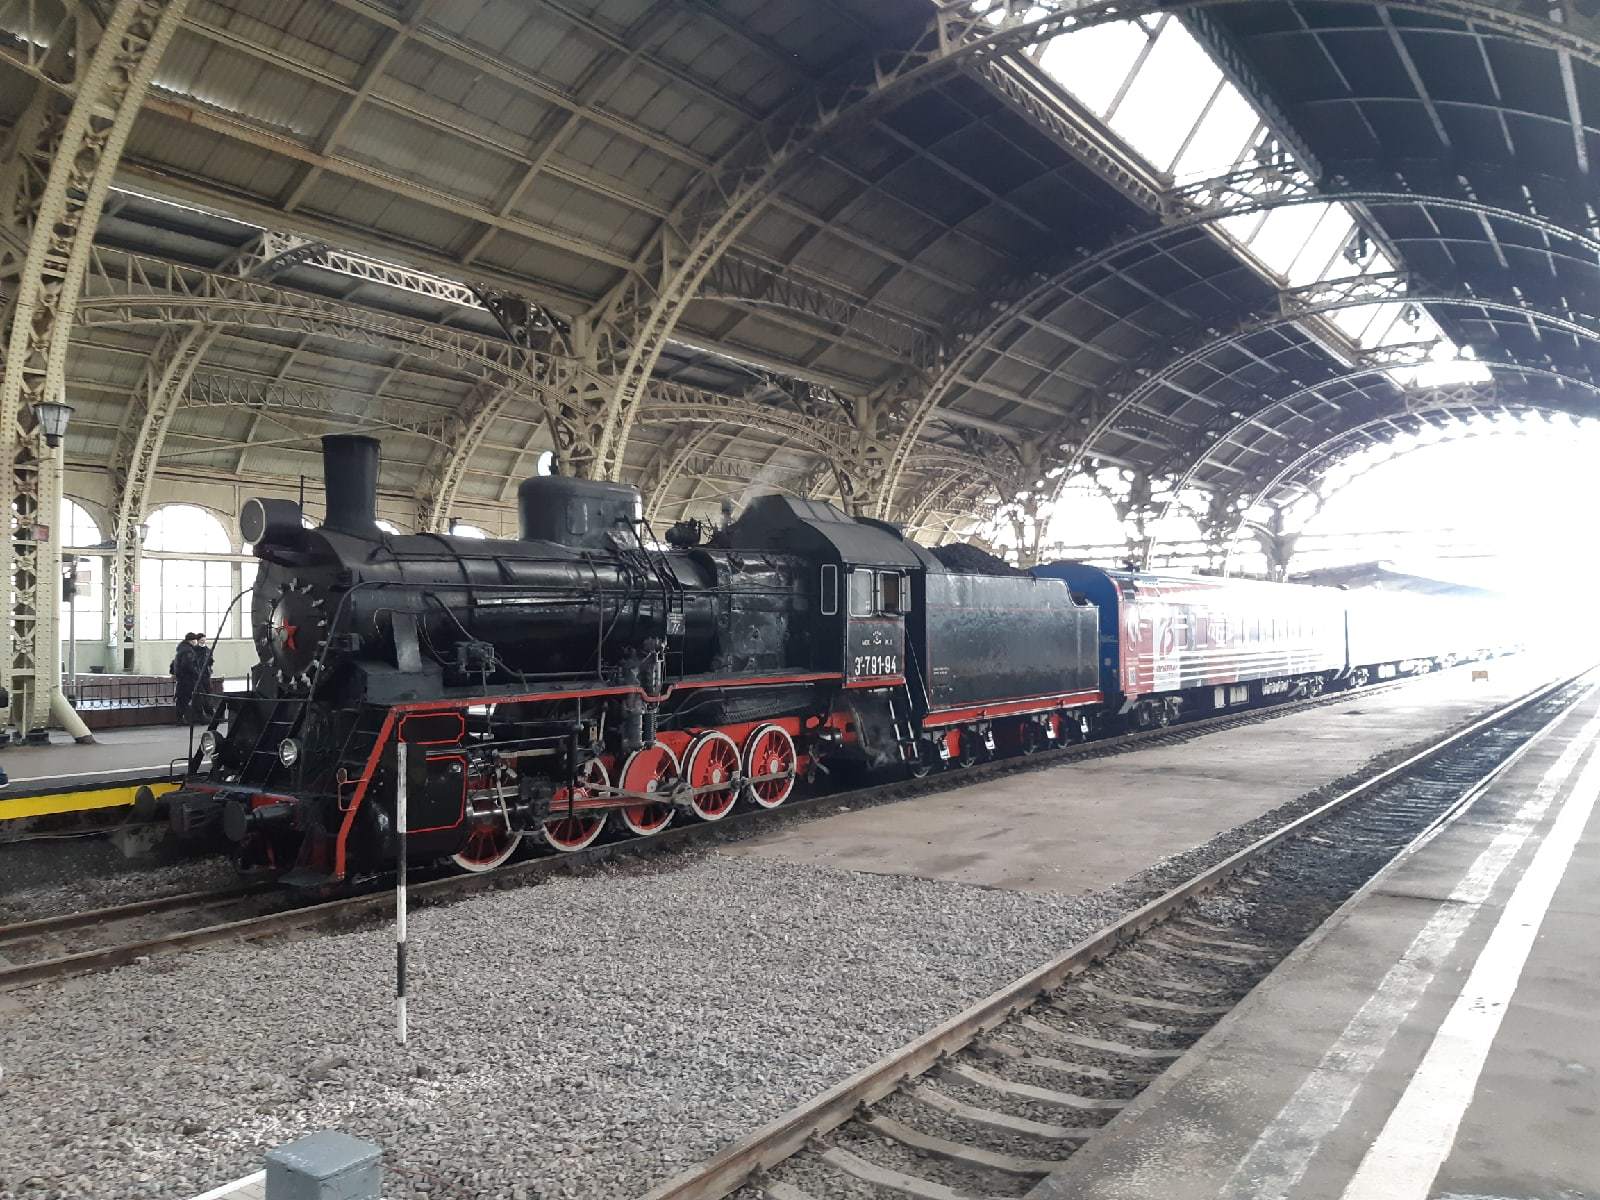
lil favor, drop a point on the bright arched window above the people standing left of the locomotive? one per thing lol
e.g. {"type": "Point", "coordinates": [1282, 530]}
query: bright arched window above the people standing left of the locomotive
{"type": "Point", "coordinates": [186, 577]}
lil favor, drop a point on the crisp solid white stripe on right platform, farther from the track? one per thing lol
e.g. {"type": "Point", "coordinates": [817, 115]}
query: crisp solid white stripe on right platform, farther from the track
{"type": "Point", "coordinates": [1422, 1132]}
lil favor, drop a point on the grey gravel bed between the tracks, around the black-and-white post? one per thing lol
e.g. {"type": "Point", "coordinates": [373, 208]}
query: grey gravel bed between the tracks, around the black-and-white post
{"type": "Point", "coordinates": [586, 1038]}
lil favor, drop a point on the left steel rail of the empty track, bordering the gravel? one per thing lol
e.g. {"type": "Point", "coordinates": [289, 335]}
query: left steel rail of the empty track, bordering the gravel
{"type": "Point", "coordinates": [780, 1140]}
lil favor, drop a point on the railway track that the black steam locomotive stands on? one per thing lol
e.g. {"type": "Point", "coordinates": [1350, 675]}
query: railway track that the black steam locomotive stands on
{"type": "Point", "coordinates": [106, 938]}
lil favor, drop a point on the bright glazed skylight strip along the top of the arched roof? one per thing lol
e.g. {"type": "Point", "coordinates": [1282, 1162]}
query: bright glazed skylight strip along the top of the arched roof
{"type": "Point", "coordinates": [1159, 90]}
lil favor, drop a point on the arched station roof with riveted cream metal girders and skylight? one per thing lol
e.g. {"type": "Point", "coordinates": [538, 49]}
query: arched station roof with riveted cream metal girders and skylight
{"type": "Point", "coordinates": [916, 257]}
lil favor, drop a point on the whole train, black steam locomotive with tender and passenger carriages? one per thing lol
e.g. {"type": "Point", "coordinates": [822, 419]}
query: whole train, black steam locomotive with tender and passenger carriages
{"type": "Point", "coordinates": [582, 676]}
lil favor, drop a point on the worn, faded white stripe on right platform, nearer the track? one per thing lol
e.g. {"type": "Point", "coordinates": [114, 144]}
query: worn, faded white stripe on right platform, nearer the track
{"type": "Point", "coordinates": [1281, 1156]}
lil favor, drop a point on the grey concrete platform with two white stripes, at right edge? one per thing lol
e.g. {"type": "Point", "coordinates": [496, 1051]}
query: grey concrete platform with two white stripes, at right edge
{"type": "Point", "coordinates": [1438, 1038]}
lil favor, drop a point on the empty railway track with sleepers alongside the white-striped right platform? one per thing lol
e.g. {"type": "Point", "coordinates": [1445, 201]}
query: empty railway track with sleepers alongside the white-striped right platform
{"type": "Point", "coordinates": [999, 1097]}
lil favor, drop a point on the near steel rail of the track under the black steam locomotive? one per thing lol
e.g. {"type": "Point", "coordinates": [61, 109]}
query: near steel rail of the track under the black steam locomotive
{"type": "Point", "coordinates": [351, 910]}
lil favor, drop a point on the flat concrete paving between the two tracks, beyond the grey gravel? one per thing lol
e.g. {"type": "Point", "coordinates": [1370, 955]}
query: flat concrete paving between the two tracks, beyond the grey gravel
{"type": "Point", "coordinates": [1092, 825]}
